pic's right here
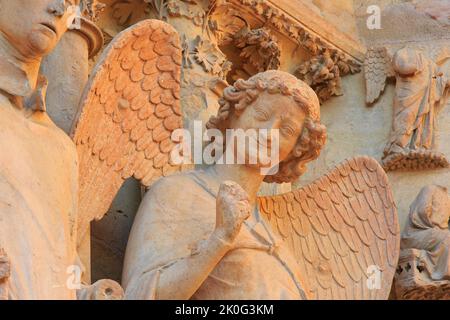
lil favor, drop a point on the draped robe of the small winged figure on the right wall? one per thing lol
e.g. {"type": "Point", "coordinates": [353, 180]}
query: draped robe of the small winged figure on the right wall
{"type": "Point", "coordinates": [417, 99]}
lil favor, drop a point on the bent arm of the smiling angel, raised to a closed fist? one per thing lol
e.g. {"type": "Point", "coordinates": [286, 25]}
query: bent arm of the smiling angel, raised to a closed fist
{"type": "Point", "coordinates": [180, 278]}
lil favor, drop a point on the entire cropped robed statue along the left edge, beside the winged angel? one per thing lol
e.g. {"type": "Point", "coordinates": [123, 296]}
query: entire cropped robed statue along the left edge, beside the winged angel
{"type": "Point", "coordinates": [38, 162]}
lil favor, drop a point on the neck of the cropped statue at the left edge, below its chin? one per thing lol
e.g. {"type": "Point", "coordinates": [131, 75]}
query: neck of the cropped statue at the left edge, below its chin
{"type": "Point", "coordinates": [18, 75]}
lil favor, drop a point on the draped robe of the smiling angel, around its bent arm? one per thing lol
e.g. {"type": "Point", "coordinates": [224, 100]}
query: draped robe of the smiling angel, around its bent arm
{"type": "Point", "coordinates": [175, 216]}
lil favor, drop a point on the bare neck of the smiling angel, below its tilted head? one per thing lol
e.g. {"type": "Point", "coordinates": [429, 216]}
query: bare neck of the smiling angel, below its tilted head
{"type": "Point", "coordinates": [250, 179]}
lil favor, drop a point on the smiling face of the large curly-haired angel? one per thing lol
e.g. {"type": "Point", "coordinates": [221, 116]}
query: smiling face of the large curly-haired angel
{"type": "Point", "coordinates": [280, 117]}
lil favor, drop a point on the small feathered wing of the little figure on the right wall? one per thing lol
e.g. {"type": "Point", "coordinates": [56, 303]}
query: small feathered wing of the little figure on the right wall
{"type": "Point", "coordinates": [377, 68]}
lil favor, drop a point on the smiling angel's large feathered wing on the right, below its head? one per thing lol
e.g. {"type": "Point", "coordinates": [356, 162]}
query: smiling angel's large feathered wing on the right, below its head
{"type": "Point", "coordinates": [338, 228]}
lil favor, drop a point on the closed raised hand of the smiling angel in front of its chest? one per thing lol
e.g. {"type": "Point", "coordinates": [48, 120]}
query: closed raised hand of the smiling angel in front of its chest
{"type": "Point", "coordinates": [232, 209]}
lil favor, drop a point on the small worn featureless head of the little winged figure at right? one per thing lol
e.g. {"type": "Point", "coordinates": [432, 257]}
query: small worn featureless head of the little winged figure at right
{"type": "Point", "coordinates": [408, 62]}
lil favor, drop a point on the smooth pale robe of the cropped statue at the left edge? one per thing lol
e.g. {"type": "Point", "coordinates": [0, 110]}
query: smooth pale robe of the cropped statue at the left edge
{"type": "Point", "coordinates": [38, 197]}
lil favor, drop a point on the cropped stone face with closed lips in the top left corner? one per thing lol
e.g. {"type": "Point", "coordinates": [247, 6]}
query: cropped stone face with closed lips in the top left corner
{"type": "Point", "coordinates": [35, 27]}
